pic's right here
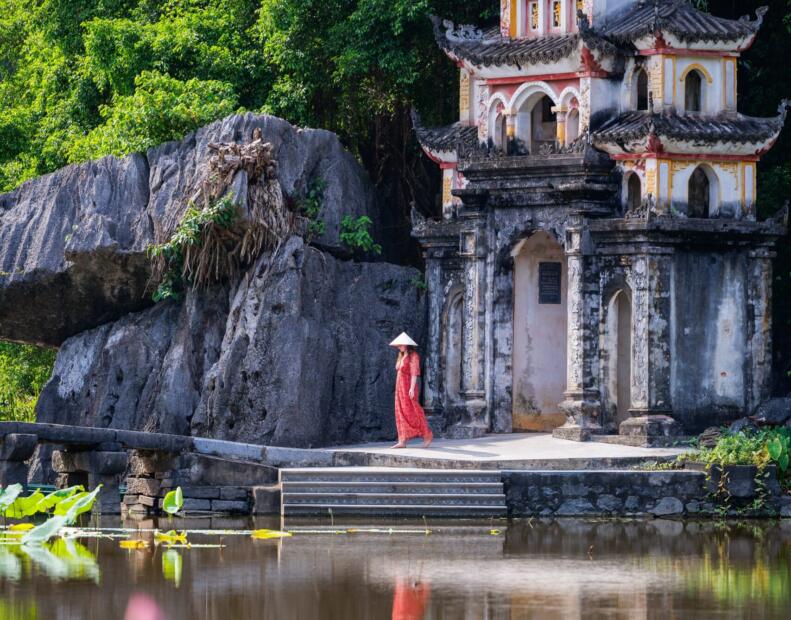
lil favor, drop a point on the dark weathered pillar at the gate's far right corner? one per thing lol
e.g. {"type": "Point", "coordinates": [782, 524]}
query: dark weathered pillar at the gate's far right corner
{"type": "Point", "coordinates": [759, 331]}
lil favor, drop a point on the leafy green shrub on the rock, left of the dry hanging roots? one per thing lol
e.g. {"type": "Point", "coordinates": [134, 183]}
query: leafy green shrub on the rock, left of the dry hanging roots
{"type": "Point", "coordinates": [189, 234]}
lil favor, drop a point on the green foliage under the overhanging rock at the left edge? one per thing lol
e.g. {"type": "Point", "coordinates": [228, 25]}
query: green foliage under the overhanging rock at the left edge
{"type": "Point", "coordinates": [24, 369]}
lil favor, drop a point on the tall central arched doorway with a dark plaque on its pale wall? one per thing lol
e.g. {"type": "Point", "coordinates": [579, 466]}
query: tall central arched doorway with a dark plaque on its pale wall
{"type": "Point", "coordinates": [540, 326]}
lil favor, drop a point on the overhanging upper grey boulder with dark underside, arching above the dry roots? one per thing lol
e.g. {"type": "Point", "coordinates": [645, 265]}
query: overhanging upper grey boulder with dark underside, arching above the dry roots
{"type": "Point", "coordinates": [72, 243]}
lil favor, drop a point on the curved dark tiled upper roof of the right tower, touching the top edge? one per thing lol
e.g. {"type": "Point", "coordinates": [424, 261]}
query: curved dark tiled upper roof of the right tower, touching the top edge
{"type": "Point", "coordinates": [681, 19]}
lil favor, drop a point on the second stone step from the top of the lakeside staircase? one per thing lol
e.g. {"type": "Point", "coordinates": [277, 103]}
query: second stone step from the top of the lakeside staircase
{"type": "Point", "coordinates": [351, 486]}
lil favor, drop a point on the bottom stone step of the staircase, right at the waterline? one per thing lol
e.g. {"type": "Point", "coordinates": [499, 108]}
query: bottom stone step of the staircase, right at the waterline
{"type": "Point", "coordinates": [391, 510]}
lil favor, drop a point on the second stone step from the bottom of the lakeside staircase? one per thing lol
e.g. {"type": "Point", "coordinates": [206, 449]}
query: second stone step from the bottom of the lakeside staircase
{"type": "Point", "coordinates": [405, 499]}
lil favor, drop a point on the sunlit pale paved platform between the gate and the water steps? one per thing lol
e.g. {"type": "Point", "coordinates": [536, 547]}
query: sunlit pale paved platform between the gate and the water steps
{"type": "Point", "coordinates": [538, 447]}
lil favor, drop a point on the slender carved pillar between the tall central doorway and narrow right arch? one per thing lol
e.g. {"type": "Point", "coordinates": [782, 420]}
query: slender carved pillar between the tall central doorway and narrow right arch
{"type": "Point", "coordinates": [581, 405]}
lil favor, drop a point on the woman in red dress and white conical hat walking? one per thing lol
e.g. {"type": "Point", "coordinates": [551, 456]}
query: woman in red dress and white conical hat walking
{"type": "Point", "coordinates": [410, 418]}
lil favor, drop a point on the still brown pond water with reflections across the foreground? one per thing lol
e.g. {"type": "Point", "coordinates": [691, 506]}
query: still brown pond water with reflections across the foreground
{"type": "Point", "coordinates": [537, 569]}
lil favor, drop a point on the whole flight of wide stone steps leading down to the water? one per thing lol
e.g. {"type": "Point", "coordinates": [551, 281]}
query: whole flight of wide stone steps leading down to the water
{"type": "Point", "coordinates": [386, 492]}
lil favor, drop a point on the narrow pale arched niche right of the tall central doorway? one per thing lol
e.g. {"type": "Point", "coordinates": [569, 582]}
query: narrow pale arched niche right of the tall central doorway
{"type": "Point", "coordinates": [618, 347]}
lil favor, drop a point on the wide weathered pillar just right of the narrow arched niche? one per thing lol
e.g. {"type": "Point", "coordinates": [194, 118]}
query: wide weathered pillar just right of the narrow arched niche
{"type": "Point", "coordinates": [650, 280]}
